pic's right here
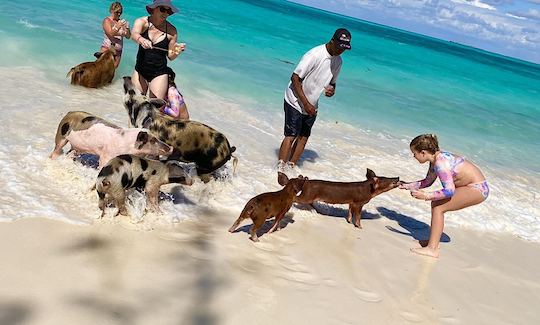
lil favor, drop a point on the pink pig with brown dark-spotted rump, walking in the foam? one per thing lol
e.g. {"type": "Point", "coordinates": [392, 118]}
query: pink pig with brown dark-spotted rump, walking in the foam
{"type": "Point", "coordinates": [90, 134]}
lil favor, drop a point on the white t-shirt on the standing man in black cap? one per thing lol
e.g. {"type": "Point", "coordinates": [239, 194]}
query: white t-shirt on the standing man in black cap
{"type": "Point", "coordinates": [318, 69]}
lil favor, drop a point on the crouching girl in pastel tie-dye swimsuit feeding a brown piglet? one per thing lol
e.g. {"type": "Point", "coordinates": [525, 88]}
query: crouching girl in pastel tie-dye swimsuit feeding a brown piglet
{"type": "Point", "coordinates": [446, 167]}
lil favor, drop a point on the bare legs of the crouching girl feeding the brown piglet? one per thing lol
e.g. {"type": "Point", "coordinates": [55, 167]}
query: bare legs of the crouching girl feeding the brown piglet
{"type": "Point", "coordinates": [463, 197]}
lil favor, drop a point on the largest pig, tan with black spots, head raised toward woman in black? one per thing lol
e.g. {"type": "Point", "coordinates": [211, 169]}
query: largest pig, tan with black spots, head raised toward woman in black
{"type": "Point", "coordinates": [192, 141]}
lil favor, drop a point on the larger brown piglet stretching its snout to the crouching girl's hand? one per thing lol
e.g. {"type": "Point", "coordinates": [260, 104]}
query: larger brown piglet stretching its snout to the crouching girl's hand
{"type": "Point", "coordinates": [355, 194]}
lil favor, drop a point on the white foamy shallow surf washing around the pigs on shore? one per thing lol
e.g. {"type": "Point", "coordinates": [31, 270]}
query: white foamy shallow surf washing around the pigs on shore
{"type": "Point", "coordinates": [35, 186]}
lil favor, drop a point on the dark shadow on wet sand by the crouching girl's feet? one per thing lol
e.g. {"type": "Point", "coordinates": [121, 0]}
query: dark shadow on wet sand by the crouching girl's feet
{"type": "Point", "coordinates": [416, 229]}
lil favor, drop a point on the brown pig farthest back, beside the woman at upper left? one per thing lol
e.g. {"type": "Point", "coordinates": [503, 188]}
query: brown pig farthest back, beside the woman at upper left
{"type": "Point", "coordinates": [94, 74]}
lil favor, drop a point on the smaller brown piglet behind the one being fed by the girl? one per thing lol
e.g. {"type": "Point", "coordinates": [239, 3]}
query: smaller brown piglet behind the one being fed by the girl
{"type": "Point", "coordinates": [271, 204]}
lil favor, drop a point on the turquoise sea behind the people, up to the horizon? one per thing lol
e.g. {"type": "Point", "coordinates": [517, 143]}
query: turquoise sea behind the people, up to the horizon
{"type": "Point", "coordinates": [393, 82]}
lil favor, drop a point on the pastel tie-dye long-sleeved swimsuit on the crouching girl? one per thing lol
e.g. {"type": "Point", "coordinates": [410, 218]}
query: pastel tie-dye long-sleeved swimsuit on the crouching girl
{"type": "Point", "coordinates": [445, 168]}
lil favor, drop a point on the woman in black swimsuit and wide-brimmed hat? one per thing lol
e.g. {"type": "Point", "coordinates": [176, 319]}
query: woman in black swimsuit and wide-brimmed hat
{"type": "Point", "coordinates": [157, 42]}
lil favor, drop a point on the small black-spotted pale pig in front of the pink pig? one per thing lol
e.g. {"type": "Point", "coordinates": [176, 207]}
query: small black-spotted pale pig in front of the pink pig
{"type": "Point", "coordinates": [127, 171]}
